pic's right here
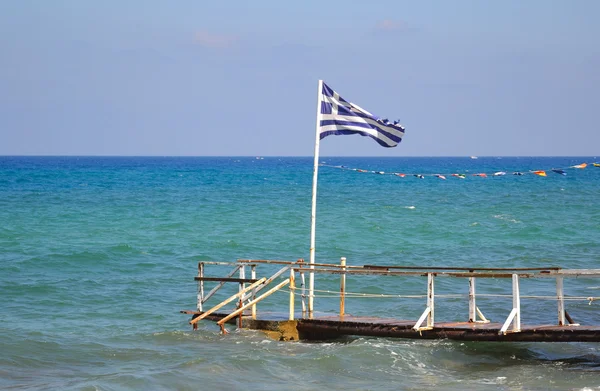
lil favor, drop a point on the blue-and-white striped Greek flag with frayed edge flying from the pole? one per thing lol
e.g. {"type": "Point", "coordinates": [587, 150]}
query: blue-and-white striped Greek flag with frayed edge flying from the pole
{"type": "Point", "coordinates": [339, 117]}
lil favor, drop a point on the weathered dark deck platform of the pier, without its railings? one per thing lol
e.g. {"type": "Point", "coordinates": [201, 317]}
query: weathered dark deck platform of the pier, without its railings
{"type": "Point", "coordinates": [332, 327]}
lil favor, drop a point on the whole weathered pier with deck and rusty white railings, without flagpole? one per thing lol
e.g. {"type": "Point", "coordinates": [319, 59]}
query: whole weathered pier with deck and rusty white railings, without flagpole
{"type": "Point", "coordinates": [304, 324]}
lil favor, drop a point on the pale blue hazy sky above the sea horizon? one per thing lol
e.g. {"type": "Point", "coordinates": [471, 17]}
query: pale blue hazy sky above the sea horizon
{"type": "Point", "coordinates": [240, 78]}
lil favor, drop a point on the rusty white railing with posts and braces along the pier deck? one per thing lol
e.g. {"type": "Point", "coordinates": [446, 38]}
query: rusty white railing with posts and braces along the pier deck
{"type": "Point", "coordinates": [247, 295]}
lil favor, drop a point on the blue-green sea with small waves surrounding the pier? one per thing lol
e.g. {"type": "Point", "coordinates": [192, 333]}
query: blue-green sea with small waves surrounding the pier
{"type": "Point", "coordinates": [98, 256]}
